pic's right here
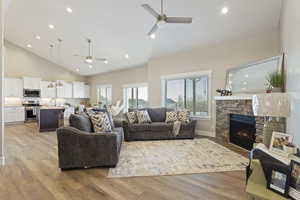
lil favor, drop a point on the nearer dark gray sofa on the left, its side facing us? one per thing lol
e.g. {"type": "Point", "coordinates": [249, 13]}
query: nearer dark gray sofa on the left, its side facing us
{"type": "Point", "coordinates": [80, 147]}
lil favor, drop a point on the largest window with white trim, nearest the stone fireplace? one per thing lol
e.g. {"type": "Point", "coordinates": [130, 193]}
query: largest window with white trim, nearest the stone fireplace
{"type": "Point", "coordinates": [188, 91]}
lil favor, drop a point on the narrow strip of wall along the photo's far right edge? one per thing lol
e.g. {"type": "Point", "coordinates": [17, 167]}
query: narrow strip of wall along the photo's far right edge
{"type": "Point", "coordinates": [290, 38]}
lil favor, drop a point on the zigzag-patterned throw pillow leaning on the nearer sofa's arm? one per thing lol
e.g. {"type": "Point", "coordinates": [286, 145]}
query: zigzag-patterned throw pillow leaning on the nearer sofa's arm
{"type": "Point", "coordinates": [101, 122]}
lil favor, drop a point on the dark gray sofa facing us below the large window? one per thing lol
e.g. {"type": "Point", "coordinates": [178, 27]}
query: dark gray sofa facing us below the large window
{"type": "Point", "coordinates": [158, 129]}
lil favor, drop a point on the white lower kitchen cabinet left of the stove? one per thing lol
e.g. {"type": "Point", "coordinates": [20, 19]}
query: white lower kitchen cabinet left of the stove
{"type": "Point", "coordinates": [14, 114]}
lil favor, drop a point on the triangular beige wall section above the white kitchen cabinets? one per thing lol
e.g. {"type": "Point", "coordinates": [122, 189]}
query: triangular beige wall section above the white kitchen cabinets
{"type": "Point", "coordinates": [19, 63]}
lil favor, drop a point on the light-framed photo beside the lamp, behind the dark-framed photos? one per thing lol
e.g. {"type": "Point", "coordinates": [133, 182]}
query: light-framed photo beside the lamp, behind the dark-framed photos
{"type": "Point", "coordinates": [278, 143]}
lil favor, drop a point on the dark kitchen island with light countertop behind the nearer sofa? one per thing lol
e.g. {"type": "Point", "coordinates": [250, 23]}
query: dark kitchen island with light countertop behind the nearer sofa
{"type": "Point", "coordinates": [50, 118]}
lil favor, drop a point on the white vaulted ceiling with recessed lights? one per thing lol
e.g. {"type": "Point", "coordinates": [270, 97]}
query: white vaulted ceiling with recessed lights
{"type": "Point", "coordinates": [119, 27]}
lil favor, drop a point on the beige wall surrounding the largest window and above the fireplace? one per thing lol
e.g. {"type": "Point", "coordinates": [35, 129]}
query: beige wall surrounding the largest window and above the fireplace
{"type": "Point", "coordinates": [218, 58]}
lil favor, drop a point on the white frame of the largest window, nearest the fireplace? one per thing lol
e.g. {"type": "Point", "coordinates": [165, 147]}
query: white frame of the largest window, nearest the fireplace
{"type": "Point", "coordinates": [198, 74]}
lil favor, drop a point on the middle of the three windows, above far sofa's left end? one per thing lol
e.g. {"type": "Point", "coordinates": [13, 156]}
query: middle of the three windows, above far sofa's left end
{"type": "Point", "coordinates": [136, 96]}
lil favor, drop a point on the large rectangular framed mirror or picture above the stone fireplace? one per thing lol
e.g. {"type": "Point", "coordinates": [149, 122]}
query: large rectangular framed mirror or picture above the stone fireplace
{"type": "Point", "coordinates": [252, 77]}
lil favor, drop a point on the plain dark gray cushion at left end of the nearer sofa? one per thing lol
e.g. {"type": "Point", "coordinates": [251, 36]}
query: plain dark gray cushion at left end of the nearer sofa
{"type": "Point", "coordinates": [81, 122]}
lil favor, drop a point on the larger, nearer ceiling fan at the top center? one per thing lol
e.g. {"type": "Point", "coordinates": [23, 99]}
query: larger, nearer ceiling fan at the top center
{"type": "Point", "coordinates": [163, 19]}
